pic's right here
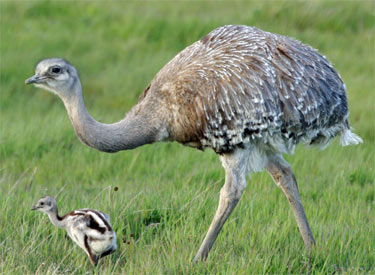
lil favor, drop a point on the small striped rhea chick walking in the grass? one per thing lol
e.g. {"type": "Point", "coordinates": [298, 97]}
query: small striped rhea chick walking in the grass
{"type": "Point", "coordinates": [89, 229]}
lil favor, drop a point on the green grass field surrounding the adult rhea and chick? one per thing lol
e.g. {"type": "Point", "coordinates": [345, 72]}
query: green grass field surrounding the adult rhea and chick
{"type": "Point", "coordinates": [118, 47]}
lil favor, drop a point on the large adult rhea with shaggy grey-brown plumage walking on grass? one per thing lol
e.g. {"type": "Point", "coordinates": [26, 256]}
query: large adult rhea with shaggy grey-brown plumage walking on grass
{"type": "Point", "coordinates": [249, 95]}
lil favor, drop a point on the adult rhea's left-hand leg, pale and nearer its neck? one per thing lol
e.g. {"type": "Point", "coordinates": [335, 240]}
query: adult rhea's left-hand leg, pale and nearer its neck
{"type": "Point", "coordinates": [235, 182]}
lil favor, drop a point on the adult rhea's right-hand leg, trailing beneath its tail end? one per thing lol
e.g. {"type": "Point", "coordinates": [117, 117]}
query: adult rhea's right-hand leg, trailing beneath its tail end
{"type": "Point", "coordinates": [283, 176]}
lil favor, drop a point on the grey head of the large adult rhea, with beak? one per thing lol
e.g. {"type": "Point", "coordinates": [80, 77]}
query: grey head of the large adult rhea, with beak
{"type": "Point", "coordinates": [56, 75]}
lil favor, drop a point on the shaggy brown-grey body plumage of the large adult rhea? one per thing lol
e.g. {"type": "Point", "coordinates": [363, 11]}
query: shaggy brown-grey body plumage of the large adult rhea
{"type": "Point", "coordinates": [238, 84]}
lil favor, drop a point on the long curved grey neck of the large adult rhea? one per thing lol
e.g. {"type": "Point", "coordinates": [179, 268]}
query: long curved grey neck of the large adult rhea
{"type": "Point", "coordinates": [131, 132]}
